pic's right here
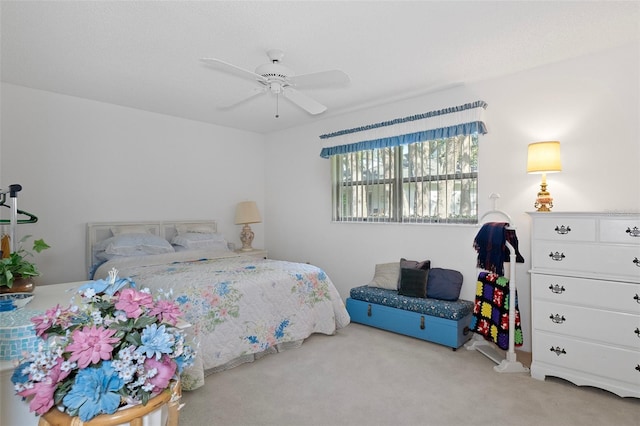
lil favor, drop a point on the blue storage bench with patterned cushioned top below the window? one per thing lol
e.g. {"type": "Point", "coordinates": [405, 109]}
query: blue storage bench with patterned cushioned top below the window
{"type": "Point", "coordinates": [439, 321]}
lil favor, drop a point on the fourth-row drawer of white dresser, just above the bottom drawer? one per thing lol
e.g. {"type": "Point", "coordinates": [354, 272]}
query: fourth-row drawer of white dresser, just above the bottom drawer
{"type": "Point", "coordinates": [588, 323]}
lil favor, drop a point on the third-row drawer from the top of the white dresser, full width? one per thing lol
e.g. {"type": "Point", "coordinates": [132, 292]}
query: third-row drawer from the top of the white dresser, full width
{"type": "Point", "coordinates": [617, 296]}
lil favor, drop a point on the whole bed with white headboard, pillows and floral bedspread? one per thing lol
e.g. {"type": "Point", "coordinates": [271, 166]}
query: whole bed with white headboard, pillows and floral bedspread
{"type": "Point", "coordinates": [240, 307]}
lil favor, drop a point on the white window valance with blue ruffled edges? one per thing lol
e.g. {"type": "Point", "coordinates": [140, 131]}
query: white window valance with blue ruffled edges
{"type": "Point", "coordinates": [459, 120]}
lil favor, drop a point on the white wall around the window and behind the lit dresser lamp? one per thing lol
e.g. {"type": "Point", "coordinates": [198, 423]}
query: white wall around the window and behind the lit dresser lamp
{"type": "Point", "coordinates": [590, 104]}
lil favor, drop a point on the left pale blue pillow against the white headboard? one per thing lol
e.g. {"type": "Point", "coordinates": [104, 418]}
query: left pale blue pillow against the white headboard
{"type": "Point", "coordinates": [134, 244]}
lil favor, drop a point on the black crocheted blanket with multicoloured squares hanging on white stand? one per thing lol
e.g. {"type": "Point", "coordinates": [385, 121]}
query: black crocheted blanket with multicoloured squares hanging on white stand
{"type": "Point", "coordinates": [491, 310]}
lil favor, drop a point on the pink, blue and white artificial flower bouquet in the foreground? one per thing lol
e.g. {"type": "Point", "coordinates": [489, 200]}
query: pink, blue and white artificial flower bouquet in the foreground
{"type": "Point", "coordinates": [118, 347]}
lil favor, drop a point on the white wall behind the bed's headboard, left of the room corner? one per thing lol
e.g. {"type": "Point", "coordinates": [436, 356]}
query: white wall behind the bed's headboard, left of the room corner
{"type": "Point", "coordinates": [82, 161]}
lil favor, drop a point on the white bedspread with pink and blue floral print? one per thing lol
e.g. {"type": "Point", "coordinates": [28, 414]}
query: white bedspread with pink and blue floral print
{"type": "Point", "coordinates": [239, 305]}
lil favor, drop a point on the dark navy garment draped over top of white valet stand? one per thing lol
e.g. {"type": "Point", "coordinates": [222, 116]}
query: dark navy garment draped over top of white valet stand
{"type": "Point", "coordinates": [491, 247]}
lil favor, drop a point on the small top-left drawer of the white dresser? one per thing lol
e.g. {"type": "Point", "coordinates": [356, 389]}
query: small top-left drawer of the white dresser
{"type": "Point", "coordinates": [565, 229]}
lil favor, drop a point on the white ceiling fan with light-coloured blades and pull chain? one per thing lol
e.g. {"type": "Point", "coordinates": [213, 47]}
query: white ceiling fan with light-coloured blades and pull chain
{"type": "Point", "coordinates": [273, 77]}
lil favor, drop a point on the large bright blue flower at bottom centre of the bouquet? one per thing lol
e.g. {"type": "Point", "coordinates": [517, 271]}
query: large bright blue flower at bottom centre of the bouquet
{"type": "Point", "coordinates": [94, 391]}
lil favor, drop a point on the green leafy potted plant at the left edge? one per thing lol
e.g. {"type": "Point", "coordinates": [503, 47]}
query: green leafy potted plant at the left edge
{"type": "Point", "coordinates": [17, 267]}
